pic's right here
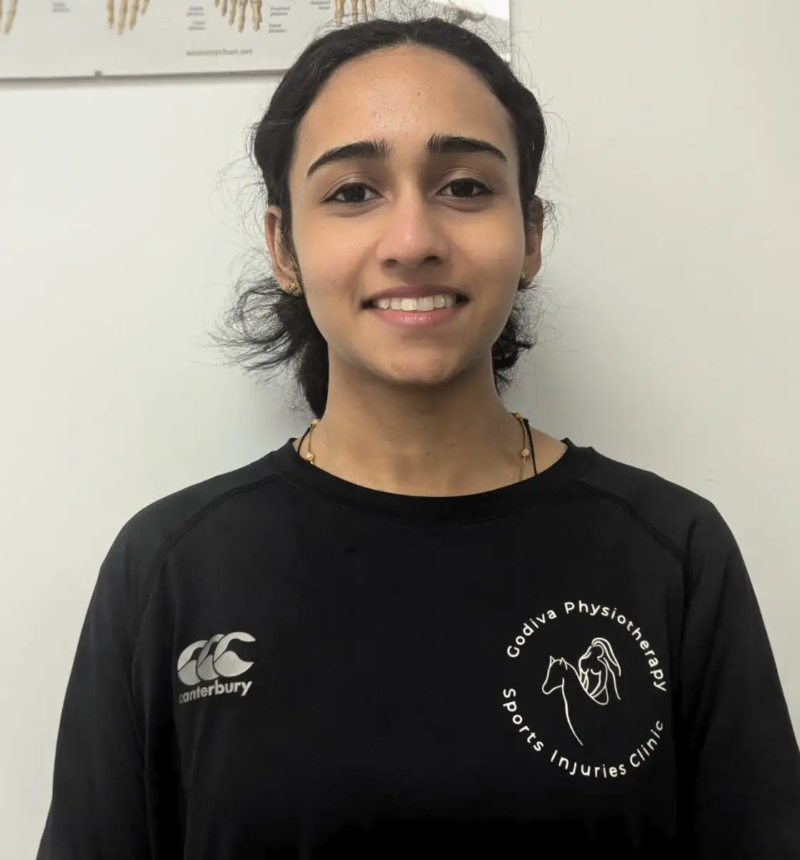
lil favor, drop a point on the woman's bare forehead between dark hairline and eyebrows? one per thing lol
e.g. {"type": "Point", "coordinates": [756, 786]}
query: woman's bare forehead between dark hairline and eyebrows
{"type": "Point", "coordinates": [404, 95]}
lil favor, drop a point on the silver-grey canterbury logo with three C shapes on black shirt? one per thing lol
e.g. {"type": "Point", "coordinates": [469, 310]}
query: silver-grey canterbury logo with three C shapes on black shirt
{"type": "Point", "coordinates": [210, 660]}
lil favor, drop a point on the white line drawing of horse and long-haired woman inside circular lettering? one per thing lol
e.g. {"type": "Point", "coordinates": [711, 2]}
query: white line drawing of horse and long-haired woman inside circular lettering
{"type": "Point", "coordinates": [597, 676]}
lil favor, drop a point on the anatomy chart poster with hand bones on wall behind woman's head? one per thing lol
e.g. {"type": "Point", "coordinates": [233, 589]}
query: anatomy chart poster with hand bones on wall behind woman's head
{"type": "Point", "coordinates": [79, 38]}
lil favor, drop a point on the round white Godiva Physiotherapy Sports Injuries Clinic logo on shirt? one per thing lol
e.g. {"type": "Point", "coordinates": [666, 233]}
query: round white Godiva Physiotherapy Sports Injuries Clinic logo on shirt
{"type": "Point", "coordinates": [586, 690]}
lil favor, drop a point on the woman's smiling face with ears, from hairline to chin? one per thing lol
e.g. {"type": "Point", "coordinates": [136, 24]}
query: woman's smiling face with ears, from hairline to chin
{"type": "Point", "coordinates": [405, 185]}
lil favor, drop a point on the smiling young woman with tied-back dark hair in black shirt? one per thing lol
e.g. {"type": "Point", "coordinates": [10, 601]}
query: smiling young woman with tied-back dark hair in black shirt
{"type": "Point", "coordinates": [425, 627]}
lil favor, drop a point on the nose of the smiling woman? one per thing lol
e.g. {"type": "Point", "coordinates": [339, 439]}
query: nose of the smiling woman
{"type": "Point", "coordinates": [413, 231]}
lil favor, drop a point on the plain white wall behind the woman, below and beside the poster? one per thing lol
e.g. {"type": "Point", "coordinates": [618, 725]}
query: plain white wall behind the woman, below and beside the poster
{"type": "Point", "coordinates": [670, 341]}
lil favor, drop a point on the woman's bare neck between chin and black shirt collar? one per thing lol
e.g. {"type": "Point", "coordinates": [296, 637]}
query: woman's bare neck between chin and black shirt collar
{"type": "Point", "coordinates": [444, 441]}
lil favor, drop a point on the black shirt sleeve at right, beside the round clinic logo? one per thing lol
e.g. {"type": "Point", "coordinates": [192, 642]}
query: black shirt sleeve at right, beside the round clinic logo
{"type": "Point", "coordinates": [740, 760]}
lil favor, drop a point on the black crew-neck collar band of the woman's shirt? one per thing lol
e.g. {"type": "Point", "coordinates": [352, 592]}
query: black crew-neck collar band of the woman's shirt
{"type": "Point", "coordinates": [301, 474]}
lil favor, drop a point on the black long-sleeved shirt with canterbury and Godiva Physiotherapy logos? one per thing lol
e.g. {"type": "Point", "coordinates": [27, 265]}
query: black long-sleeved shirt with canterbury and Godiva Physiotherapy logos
{"type": "Point", "coordinates": [279, 663]}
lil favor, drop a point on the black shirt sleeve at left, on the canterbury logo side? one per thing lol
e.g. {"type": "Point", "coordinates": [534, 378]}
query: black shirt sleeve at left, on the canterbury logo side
{"type": "Point", "coordinates": [98, 806]}
